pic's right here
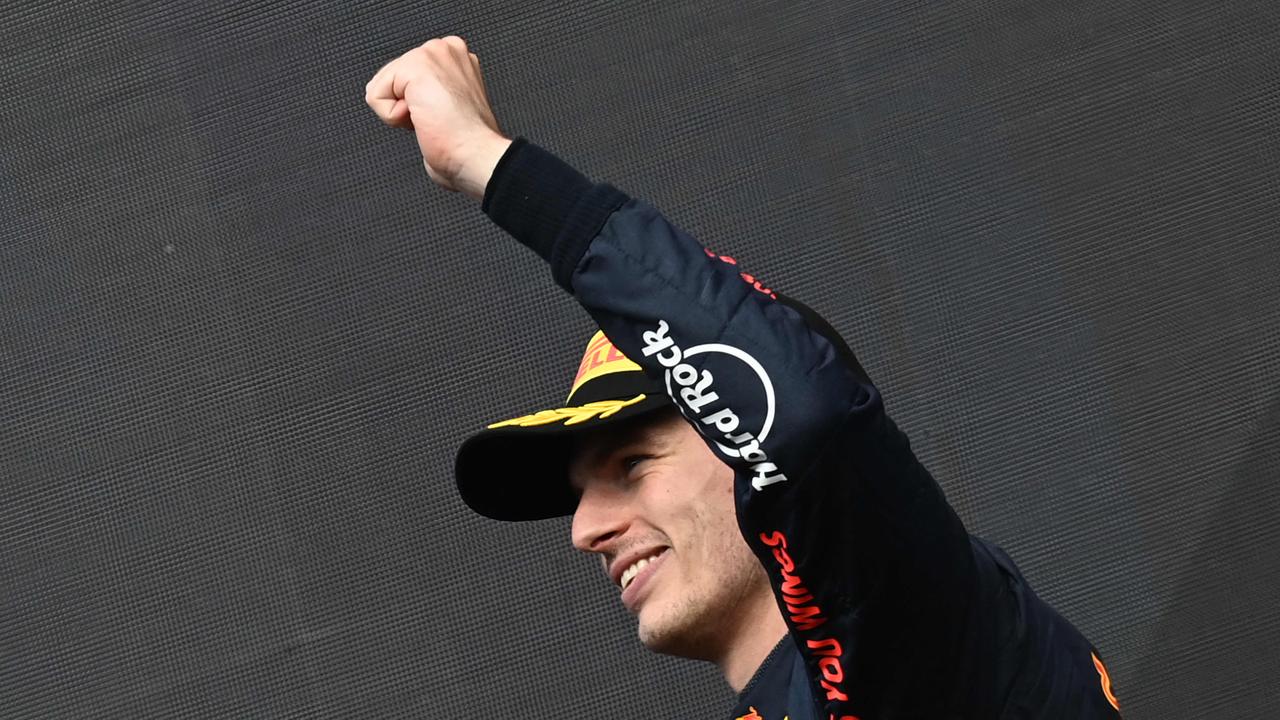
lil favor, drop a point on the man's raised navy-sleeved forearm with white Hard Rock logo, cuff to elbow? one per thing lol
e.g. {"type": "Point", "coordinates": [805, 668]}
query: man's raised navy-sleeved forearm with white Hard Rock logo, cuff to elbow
{"type": "Point", "coordinates": [767, 386]}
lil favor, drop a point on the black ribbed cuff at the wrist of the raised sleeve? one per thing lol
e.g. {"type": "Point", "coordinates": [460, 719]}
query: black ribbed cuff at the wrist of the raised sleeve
{"type": "Point", "coordinates": [548, 206]}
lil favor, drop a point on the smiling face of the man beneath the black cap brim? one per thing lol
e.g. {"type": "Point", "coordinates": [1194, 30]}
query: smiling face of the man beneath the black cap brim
{"type": "Point", "coordinates": [659, 508]}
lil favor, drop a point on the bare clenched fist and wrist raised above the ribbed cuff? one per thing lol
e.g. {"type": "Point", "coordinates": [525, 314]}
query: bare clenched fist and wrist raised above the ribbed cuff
{"type": "Point", "coordinates": [437, 92]}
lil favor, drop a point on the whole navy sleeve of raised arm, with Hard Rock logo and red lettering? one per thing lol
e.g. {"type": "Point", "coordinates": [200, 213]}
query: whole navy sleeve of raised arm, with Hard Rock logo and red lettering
{"type": "Point", "coordinates": [871, 567]}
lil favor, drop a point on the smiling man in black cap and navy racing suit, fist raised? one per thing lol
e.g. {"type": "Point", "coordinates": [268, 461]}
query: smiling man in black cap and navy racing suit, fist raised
{"type": "Point", "coordinates": [730, 462]}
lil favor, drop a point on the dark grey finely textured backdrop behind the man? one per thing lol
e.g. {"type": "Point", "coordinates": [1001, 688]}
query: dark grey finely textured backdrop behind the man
{"type": "Point", "coordinates": [241, 334]}
